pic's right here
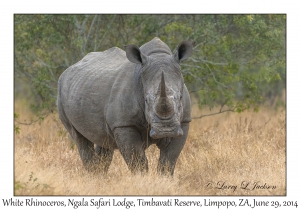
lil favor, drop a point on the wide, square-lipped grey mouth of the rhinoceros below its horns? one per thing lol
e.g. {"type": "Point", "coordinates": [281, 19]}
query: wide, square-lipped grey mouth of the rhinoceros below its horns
{"type": "Point", "coordinates": [173, 132]}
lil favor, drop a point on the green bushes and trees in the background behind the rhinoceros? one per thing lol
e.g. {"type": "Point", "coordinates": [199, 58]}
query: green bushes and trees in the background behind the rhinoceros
{"type": "Point", "coordinates": [237, 59]}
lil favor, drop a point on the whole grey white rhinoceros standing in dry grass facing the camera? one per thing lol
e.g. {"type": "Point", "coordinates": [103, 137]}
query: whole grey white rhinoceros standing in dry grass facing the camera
{"type": "Point", "coordinates": [127, 101]}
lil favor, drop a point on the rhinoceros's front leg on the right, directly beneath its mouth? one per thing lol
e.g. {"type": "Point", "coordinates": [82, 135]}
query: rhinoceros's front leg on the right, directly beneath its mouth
{"type": "Point", "coordinates": [170, 149]}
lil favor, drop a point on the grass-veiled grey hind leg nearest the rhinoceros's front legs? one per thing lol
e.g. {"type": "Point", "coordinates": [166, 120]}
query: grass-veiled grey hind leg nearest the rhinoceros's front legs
{"type": "Point", "coordinates": [105, 157]}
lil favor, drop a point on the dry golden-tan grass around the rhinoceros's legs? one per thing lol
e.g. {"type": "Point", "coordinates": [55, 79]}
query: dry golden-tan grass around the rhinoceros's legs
{"type": "Point", "coordinates": [228, 149]}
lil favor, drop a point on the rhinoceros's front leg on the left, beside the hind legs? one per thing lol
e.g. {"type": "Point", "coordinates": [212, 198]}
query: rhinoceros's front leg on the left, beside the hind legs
{"type": "Point", "coordinates": [132, 148]}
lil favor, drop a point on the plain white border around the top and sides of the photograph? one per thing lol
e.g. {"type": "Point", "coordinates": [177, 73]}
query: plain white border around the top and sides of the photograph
{"type": "Point", "coordinates": [8, 8]}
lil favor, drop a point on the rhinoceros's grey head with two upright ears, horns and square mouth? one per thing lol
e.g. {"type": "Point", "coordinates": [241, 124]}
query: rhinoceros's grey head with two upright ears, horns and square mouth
{"type": "Point", "coordinates": [163, 85]}
